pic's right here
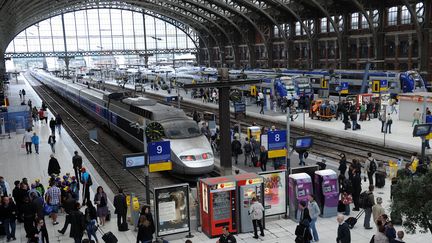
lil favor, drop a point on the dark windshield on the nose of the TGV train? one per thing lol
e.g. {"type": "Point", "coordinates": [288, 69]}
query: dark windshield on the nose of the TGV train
{"type": "Point", "coordinates": [181, 129]}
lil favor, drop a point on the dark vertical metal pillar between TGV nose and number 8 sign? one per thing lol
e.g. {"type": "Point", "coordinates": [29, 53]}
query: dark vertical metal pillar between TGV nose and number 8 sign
{"type": "Point", "coordinates": [224, 125]}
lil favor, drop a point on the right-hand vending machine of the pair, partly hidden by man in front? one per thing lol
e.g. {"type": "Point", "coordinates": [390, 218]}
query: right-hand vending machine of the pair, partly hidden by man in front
{"type": "Point", "coordinates": [249, 185]}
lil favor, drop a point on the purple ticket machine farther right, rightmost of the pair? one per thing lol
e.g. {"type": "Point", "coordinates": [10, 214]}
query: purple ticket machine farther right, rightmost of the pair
{"type": "Point", "coordinates": [327, 192]}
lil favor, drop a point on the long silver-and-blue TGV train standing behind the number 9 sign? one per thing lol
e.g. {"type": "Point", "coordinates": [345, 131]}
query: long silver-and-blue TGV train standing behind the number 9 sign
{"type": "Point", "coordinates": [191, 152]}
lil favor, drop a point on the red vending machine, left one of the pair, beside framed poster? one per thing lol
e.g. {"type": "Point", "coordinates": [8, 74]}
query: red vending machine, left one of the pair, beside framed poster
{"type": "Point", "coordinates": [218, 205]}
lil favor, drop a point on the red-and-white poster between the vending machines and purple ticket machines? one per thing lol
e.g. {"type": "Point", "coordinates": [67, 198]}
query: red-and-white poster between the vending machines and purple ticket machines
{"type": "Point", "coordinates": [274, 192]}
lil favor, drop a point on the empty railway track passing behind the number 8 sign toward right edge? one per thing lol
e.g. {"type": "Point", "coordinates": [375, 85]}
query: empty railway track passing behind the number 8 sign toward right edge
{"type": "Point", "coordinates": [325, 145]}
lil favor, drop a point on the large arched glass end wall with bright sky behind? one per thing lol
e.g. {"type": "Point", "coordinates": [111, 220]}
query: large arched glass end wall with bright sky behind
{"type": "Point", "coordinates": [98, 30]}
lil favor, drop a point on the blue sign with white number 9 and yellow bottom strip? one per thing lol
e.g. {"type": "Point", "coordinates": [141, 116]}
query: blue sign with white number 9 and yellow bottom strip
{"type": "Point", "coordinates": [159, 156]}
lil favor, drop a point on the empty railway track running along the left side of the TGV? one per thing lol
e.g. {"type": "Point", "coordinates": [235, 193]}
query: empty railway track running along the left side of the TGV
{"type": "Point", "coordinates": [106, 154]}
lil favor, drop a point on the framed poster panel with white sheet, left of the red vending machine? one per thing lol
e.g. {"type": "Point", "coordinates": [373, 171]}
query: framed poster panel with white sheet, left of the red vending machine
{"type": "Point", "coordinates": [172, 209]}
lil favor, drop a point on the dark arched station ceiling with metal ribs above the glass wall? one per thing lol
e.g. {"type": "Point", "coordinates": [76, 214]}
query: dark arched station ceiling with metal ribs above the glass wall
{"type": "Point", "coordinates": [217, 22]}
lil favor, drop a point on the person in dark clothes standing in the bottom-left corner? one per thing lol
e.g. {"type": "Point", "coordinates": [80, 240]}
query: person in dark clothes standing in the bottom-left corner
{"type": "Point", "coordinates": [8, 216]}
